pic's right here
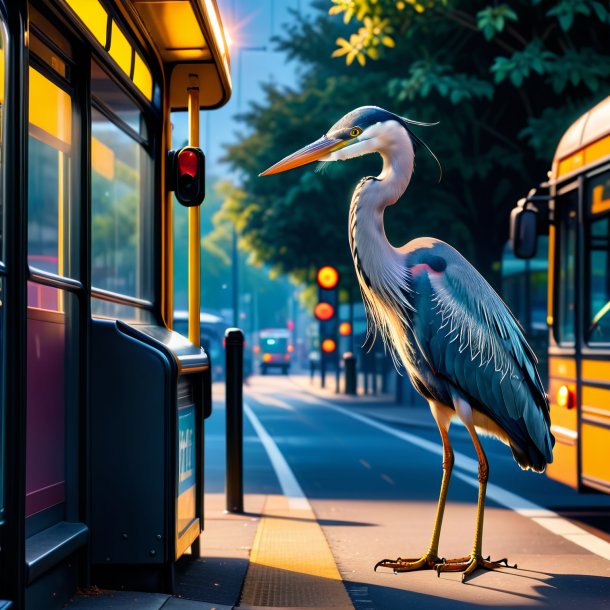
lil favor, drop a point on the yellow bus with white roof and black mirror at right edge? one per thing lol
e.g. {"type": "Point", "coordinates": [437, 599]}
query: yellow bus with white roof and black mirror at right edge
{"type": "Point", "coordinates": [577, 216]}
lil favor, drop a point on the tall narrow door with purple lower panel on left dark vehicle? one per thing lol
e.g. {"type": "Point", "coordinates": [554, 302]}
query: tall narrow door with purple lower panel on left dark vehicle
{"type": "Point", "coordinates": [56, 307]}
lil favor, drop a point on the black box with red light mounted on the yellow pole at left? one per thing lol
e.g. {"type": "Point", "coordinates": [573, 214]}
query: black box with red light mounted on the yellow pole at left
{"type": "Point", "coordinates": [186, 175]}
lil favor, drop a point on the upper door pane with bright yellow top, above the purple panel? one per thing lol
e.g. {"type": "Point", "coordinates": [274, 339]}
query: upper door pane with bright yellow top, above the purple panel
{"type": "Point", "coordinates": [50, 222]}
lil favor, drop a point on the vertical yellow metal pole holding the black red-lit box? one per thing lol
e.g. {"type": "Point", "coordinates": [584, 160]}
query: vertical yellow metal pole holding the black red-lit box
{"type": "Point", "coordinates": [194, 274]}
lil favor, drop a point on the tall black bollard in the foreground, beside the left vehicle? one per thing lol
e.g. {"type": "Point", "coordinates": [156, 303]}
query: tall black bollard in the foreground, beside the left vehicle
{"type": "Point", "coordinates": [234, 349]}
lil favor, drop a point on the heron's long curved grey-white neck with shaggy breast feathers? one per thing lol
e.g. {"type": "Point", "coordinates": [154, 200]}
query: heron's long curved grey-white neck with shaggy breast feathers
{"type": "Point", "coordinates": [380, 267]}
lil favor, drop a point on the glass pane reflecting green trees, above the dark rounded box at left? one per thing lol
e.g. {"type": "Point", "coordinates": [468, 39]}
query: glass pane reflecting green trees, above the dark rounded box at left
{"type": "Point", "coordinates": [121, 224]}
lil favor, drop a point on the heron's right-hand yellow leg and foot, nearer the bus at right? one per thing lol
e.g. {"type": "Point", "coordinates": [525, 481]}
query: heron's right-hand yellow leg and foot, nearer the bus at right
{"type": "Point", "coordinates": [467, 565]}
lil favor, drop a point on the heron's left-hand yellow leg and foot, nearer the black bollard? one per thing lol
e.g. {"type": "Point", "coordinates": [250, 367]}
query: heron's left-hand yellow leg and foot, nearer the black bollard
{"type": "Point", "coordinates": [430, 559]}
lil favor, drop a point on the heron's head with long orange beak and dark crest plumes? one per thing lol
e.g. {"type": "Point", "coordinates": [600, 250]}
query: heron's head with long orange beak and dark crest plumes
{"type": "Point", "coordinates": [364, 130]}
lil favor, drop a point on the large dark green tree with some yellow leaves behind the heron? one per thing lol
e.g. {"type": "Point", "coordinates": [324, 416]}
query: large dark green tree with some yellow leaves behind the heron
{"type": "Point", "coordinates": [505, 80]}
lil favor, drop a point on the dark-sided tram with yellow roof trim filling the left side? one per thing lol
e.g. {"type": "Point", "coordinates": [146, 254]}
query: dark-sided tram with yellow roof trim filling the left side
{"type": "Point", "coordinates": [102, 405]}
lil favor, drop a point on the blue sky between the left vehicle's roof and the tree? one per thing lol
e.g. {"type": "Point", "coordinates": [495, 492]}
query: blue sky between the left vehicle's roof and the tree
{"type": "Point", "coordinates": [251, 24]}
